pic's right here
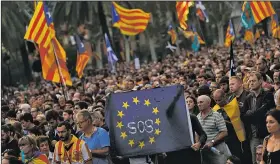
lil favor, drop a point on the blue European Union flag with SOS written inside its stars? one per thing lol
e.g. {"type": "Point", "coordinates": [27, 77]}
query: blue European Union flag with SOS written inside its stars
{"type": "Point", "coordinates": [148, 121]}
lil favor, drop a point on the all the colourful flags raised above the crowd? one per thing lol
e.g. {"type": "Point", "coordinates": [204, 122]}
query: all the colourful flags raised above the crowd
{"type": "Point", "coordinates": [132, 22]}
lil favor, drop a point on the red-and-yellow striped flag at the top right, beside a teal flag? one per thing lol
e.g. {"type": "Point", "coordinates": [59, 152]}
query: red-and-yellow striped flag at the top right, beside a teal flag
{"type": "Point", "coordinates": [261, 10]}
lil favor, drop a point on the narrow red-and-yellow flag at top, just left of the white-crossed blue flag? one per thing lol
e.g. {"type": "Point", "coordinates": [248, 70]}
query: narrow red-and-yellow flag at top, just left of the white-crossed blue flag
{"type": "Point", "coordinates": [183, 10]}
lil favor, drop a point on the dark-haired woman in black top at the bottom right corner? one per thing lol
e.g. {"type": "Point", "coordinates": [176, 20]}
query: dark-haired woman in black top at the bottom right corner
{"type": "Point", "coordinates": [271, 144]}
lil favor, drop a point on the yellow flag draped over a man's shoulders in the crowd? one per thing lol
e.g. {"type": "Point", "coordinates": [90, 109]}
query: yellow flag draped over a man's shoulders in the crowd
{"type": "Point", "coordinates": [233, 112]}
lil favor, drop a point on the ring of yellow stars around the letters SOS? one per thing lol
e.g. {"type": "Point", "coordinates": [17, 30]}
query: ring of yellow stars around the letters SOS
{"type": "Point", "coordinates": [132, 142]}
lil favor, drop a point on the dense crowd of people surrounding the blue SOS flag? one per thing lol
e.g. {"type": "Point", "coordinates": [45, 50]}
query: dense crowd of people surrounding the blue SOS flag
{"type": "Point", "coordinates": [47, 123]}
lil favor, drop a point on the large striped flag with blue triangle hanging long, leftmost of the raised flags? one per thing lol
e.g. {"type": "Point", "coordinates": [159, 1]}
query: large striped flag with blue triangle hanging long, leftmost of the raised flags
{"type": "Point", "coordinates": [53, 57]}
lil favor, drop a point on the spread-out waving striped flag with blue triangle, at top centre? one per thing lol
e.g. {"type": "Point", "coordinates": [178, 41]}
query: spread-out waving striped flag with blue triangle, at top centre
{"type": "Point", "coordinates": [129, 21]}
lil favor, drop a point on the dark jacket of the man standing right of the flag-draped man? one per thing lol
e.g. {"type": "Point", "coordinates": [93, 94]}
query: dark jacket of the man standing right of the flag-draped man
{"type": "Point", "coordinates": [255, 118]}
